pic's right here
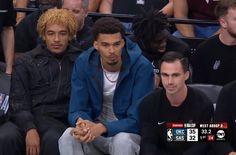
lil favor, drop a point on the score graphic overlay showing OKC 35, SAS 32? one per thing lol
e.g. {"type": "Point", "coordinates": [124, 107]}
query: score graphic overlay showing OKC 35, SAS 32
{"type": "Point", "coordinates": [194, 132]}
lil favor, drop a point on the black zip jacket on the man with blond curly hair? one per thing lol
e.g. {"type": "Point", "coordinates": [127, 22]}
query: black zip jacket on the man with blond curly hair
{"type": "Point", "coordinates": [41, 85]}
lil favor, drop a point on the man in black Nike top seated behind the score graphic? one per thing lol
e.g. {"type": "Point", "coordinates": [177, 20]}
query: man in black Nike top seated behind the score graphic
{"type": "Point", "coordinates": [174, 103]}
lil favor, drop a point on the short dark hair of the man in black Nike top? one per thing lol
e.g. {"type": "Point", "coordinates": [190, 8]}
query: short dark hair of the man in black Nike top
{"type": "Point", "coordinates": [172, 56]}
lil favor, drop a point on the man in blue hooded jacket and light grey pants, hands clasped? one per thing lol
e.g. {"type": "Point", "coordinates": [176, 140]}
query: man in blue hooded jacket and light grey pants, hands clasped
{"type": "Point", "coordinates": [108, 84]}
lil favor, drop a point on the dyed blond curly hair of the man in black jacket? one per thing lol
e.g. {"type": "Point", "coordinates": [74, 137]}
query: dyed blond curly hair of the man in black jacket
{"type": "Point", "coordinates": [62, 17]}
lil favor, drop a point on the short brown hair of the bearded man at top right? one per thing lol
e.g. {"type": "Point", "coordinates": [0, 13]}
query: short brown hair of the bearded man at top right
{"type": "Point", "coordinates": [223, 6]}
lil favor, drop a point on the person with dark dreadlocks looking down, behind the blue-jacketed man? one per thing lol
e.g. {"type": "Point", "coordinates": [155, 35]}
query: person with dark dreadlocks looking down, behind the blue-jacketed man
{"type": "Point", "coordinates": [153, 37]}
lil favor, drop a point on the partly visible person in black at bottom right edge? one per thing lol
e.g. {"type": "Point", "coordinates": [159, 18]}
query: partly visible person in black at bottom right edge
{"type": "Point", "coordinates": [226, 112]}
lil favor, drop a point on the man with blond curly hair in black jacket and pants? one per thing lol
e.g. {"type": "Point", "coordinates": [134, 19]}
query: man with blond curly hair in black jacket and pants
{"type": "Point", "coordinates": [40, 89]}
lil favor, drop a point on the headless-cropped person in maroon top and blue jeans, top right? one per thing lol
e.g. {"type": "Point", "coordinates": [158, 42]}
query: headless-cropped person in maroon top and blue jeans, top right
{"type": "Point", "coordinates": [195, 9]}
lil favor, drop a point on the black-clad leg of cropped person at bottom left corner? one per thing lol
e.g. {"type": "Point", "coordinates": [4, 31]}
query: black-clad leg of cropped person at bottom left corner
{"type": "Point", "coordinates": [11, 139]}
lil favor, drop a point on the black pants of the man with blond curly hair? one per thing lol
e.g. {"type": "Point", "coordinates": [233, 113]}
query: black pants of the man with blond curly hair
{"type": "Point", "coordinates": [50, 130]}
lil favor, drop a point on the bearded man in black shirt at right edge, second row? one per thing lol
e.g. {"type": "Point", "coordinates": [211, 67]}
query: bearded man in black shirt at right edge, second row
{"type": "Point", "coordinates": [215, 59]}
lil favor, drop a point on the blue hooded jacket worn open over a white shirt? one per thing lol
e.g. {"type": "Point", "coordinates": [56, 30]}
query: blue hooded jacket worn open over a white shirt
{"type": "Point", "coordinates": [135, 81]}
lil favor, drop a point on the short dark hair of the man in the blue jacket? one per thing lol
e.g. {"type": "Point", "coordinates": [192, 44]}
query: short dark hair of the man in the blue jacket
{"type": "Point", "coordinates": [107, 25]}
